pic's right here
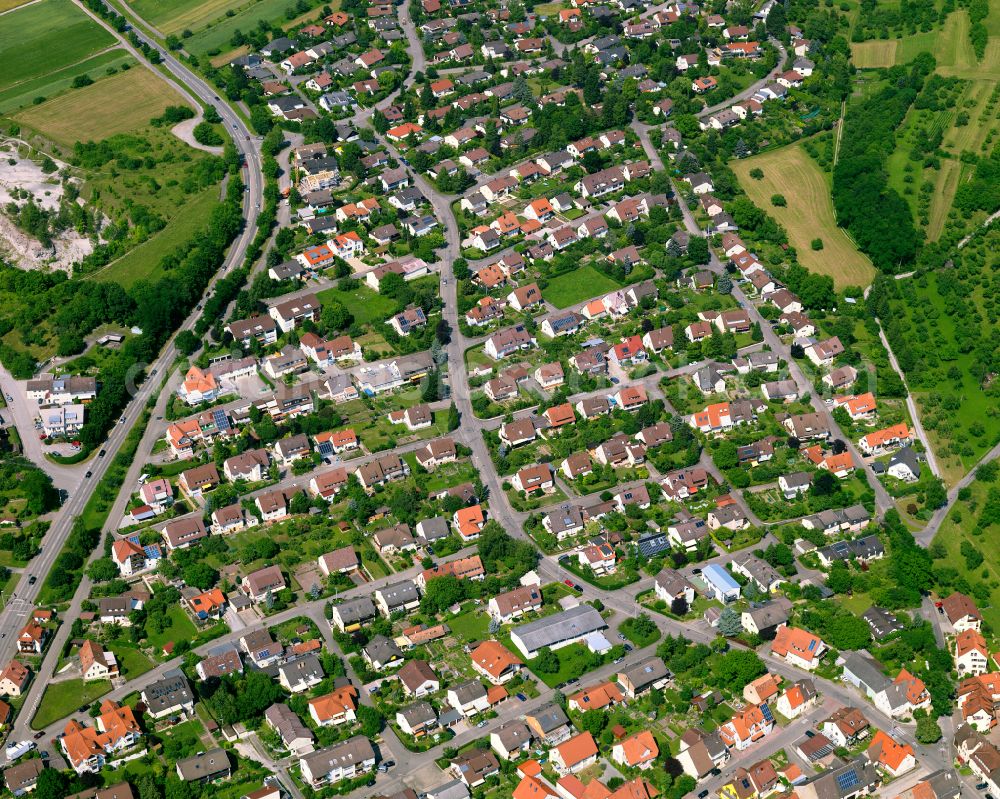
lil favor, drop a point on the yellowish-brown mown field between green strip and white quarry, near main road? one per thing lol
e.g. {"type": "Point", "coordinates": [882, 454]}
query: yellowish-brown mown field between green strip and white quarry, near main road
{"type": "Point", "coordinates": [120, 104]}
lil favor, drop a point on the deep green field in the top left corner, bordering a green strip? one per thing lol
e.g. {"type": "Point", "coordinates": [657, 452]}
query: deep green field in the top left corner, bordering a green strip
{"type": "Point", "coordinates": [45, 37]}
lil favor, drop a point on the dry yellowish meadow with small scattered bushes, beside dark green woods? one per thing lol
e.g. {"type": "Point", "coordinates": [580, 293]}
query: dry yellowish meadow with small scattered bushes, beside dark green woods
{"type": "Point", "coordinates": [808, 215]}
